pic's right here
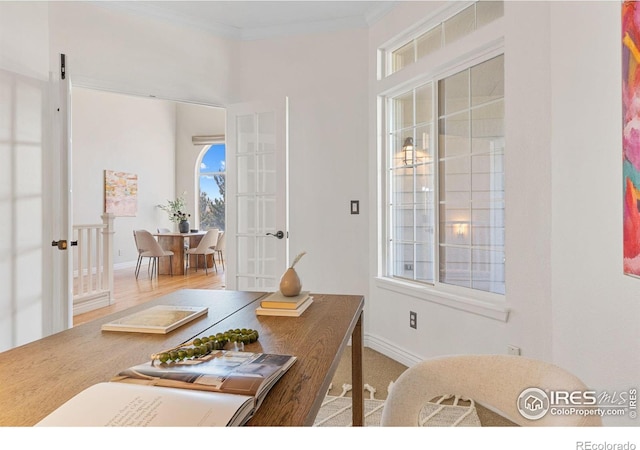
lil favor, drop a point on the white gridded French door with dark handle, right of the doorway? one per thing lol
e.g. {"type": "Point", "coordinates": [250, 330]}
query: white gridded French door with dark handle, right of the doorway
{"type": "Point", "coordinates": [257, 214]}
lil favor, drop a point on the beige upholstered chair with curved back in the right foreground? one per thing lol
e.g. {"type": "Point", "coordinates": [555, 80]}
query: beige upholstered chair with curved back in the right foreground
{"type": "Point", "coordinates": [494, 381]}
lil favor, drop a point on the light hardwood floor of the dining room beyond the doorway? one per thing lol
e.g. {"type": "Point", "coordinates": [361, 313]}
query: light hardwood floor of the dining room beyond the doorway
{"type": "Point", "coordinates": [130, 292]}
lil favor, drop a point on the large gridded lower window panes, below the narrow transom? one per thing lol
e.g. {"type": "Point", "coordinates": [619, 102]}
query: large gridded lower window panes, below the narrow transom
{"type": "Point", "coordinates": [445, 185]}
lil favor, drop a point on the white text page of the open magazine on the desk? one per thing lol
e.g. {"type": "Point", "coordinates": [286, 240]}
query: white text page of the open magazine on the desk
{"type": "Point", "coordinates": [130, 405]}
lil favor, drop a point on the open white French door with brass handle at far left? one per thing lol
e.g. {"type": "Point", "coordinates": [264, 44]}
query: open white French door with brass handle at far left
{"type": "Point", "coordinates": [35, 295]}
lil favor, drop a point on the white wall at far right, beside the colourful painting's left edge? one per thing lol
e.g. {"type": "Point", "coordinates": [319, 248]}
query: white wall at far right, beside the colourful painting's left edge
{"type": "Point", "coordinates": [595, 307]}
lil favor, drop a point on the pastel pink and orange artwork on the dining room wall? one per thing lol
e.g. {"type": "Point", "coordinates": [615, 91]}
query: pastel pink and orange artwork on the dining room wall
{"type": "Point", "coordinates": [120, 193]}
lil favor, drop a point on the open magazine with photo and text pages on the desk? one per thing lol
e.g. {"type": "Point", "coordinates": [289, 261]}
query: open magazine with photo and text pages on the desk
{"type": "Point", "coordinates": [224, 388]}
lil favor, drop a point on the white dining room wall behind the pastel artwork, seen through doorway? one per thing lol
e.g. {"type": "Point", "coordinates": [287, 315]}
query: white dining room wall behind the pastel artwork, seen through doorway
{"type": "Point", "coordinates": [125, 134]}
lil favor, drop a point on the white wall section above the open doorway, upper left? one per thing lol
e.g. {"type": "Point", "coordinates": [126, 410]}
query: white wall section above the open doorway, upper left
{"type": "Point", "coordinates": [131, 53]}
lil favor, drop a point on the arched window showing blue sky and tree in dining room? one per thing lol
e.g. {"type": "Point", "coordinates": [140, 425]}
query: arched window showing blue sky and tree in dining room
{"type": "Point", "coordinates": [211, 203]}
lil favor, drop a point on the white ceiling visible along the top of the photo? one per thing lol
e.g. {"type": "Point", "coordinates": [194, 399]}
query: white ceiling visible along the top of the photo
{"type": "Point", "coordinates": [248, 20]}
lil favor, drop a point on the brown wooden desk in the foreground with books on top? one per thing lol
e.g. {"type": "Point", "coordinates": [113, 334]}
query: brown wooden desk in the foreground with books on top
{"type": "Point", "coordinates": [38, 377]}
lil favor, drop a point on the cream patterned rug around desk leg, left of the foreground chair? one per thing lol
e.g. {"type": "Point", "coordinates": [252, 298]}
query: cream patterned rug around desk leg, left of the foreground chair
{"type": "Point", "coordinates": [336, 410]}
